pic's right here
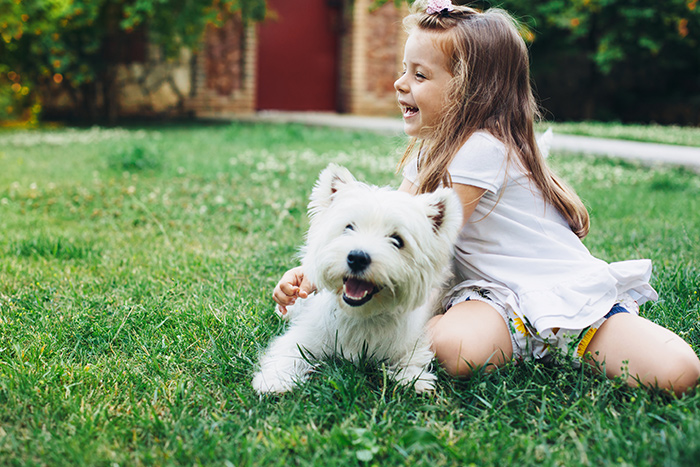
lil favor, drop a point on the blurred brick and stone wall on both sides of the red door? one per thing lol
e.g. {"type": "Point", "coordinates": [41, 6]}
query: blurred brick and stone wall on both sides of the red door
{"type": "Point", "coordinates": [220, 79]}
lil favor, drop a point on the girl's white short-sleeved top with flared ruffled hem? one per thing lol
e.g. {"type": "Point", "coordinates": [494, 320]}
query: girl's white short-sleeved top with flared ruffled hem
{"type": "Point", "coordinates": [523, 251]}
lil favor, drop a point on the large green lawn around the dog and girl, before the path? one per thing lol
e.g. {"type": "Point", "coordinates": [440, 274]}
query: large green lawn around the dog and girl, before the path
{"type": "Point", "coordinates": [135, 275]}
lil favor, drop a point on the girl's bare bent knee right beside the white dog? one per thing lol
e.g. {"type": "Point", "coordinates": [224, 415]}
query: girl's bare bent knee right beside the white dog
{"type": "Point", "coordinates": [470, 333]}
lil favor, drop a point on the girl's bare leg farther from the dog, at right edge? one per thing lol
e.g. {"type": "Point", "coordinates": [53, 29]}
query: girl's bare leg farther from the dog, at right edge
{"type": "Point", "coordinates": [643, 352]}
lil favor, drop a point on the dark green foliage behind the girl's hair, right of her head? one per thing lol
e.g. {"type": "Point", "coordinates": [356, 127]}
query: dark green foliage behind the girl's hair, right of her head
{"type": "Point", "coordinates": [615, 59]}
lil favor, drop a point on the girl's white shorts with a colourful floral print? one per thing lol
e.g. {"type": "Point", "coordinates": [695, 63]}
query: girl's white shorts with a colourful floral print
{"type": "Point", "coordinates": [551, 343]}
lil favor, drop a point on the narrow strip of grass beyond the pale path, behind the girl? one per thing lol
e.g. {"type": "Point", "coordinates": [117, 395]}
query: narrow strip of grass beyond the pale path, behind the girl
{"type": "Point", "coordinates": [664, 134]}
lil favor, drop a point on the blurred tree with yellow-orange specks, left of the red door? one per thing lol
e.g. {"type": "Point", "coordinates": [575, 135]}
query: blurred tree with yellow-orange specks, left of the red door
{"type": "Point", "coordinates": [78, 43]}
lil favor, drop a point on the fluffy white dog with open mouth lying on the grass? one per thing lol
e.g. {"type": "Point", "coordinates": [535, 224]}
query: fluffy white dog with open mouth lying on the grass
{"type": "Point", "coordinates": [375, 255]}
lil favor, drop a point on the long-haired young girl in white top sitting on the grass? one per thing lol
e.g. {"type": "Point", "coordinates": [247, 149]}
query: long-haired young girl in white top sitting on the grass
{"type": "Point", "coordinates": [529, 288]}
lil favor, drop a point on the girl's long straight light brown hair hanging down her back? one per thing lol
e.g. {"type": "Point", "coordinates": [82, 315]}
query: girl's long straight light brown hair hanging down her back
{"type": "Point", "coordinates": [490, 90]}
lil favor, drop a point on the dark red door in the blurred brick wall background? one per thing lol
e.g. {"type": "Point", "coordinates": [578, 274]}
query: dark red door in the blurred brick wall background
{"type": "Point", "coordinates": [297, 56]}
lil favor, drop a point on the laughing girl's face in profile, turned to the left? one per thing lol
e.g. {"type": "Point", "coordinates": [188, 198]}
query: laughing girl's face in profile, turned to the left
{"type": "Point", "coordinates": [421, 89]}
